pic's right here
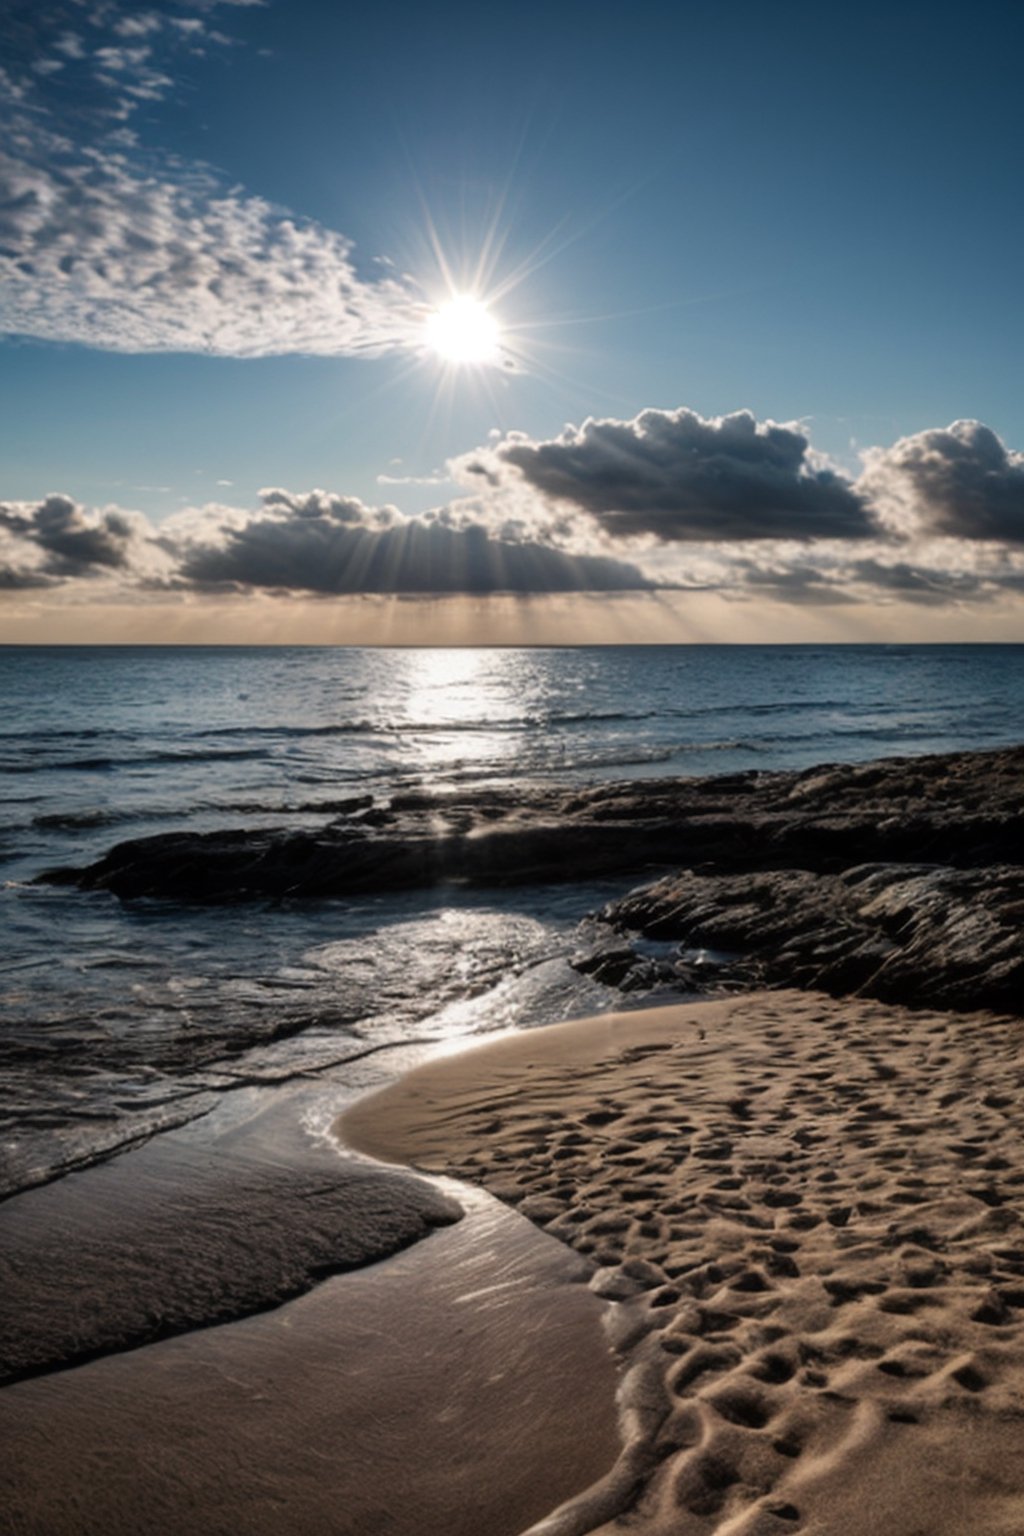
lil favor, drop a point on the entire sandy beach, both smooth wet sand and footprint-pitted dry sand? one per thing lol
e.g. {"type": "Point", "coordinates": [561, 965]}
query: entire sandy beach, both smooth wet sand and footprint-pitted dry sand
{"type": "Point", "coordinates": [765, 1274]}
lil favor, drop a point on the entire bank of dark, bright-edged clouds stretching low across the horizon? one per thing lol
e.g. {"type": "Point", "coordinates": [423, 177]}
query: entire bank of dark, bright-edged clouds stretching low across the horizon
{"type": "Point", "coordinates": [946, 531]}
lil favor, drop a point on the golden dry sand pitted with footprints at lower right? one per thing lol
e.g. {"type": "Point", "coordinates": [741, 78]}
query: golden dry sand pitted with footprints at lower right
{"type": "Point", "coordinates": [810, 1213]}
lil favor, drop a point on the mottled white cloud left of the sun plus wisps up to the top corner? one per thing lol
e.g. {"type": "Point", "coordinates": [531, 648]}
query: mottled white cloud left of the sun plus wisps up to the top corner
{"type": "Point", "coordinates": [119, 250]}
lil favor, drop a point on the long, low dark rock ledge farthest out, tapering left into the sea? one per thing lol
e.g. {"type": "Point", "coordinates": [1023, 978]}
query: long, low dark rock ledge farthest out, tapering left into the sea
{"type": "Point", "coordinates": [963, 810]}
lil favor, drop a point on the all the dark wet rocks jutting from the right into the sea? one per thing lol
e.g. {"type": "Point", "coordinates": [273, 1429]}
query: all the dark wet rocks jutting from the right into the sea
{"type": "Point", "coordinates": [900, 879]}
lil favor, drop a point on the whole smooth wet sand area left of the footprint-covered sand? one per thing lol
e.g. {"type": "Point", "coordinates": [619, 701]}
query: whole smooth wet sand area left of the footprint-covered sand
{"type": "Point", "coordinates": [463, 1386]}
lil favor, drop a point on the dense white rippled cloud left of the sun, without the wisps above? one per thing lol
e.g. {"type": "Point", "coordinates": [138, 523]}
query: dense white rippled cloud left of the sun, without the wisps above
{"type": "Point", "coordinates": [96, 253]}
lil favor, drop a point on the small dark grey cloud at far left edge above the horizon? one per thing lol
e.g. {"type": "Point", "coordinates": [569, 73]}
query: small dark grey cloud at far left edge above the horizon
{"type": "Point", "coordinates": [68, 541]}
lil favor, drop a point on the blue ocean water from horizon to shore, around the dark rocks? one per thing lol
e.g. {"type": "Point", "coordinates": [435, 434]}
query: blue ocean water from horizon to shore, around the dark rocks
{"type": "Point", "coordinates": [117, 1019]}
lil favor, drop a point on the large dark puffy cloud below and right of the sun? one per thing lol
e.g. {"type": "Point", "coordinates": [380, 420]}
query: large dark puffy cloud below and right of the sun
{"type": "Point", "coordinates": [679, 477]}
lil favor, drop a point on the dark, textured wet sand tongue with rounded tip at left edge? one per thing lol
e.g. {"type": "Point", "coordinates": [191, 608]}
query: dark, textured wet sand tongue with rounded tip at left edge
{"type": "Point", "coordinates": [203, 1225]}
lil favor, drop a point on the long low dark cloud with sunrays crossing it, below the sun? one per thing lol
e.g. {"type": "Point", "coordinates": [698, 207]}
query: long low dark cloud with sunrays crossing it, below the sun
{"type": "Point", "coordinates": [337, 546]}
